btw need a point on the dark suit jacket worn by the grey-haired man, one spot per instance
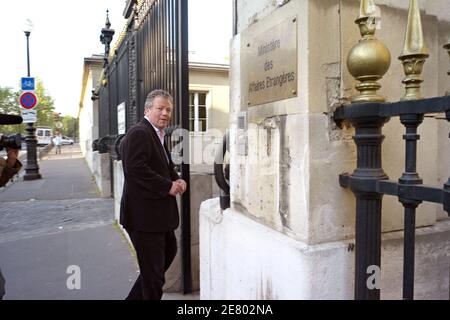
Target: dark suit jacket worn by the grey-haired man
(146, 204)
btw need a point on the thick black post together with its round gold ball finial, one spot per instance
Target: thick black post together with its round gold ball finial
(367, 62)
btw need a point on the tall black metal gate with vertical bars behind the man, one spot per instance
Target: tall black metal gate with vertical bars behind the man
(152, 54)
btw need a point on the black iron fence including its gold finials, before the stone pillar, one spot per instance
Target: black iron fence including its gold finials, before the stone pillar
(367, 62)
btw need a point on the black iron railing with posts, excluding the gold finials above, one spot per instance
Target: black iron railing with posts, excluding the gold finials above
(369, 183)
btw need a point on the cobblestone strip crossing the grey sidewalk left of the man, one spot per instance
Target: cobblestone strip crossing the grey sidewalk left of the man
(27, 219)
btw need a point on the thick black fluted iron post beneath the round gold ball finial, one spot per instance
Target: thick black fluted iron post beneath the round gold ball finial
(368, 139)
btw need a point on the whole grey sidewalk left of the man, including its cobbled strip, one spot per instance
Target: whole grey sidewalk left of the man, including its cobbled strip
(59, 221)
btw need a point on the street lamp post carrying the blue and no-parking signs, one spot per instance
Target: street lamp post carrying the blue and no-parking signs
(32, 167)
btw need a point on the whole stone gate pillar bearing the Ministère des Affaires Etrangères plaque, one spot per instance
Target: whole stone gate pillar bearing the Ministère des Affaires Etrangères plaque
(290, 230)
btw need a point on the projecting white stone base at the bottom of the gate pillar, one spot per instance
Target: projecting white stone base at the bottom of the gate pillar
(242, 259)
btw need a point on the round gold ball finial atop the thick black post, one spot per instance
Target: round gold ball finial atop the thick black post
(369, 60)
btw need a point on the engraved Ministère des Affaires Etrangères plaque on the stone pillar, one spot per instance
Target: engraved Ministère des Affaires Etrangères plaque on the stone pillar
(269, 63)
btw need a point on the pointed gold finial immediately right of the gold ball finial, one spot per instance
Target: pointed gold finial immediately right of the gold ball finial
(414, 53)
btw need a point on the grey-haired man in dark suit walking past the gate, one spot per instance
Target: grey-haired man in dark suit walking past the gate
(148, 209)
